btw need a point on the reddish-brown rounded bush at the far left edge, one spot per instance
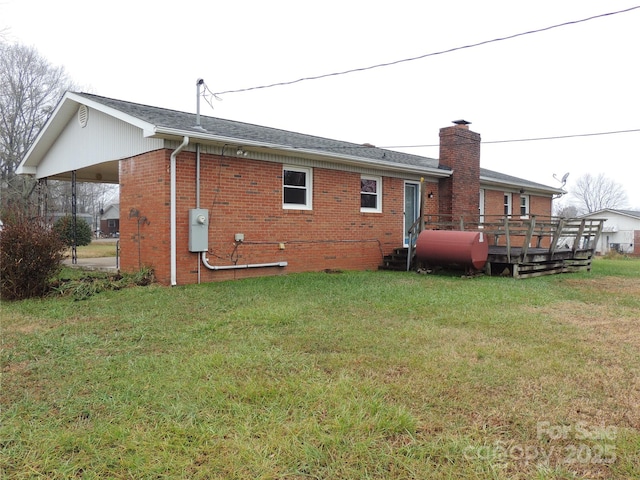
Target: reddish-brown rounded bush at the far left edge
(31, 254)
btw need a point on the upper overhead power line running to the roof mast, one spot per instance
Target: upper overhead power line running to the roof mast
(420, 57)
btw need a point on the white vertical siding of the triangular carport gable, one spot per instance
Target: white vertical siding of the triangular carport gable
(103, 139)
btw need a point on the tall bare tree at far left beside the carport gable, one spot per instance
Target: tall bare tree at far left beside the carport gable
(30, 87)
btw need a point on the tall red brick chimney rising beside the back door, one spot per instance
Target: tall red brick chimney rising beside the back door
(460, 152)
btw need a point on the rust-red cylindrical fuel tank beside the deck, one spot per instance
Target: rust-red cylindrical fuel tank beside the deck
(449, 247)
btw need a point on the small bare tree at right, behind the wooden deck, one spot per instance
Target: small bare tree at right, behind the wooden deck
(597, 193)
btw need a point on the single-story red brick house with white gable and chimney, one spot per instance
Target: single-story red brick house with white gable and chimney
(209, 199)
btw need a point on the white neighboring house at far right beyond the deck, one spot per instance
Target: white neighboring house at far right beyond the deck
(621, 231)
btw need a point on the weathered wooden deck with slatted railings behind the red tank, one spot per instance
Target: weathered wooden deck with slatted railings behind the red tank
(530, 247)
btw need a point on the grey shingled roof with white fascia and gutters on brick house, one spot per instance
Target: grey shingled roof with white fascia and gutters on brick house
(163, 123)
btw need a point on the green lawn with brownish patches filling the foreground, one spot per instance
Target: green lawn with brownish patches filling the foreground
(324, 376)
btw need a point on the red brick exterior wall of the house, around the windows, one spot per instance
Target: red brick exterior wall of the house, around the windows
(245, 196)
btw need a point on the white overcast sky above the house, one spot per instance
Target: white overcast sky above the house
(582, 78)
